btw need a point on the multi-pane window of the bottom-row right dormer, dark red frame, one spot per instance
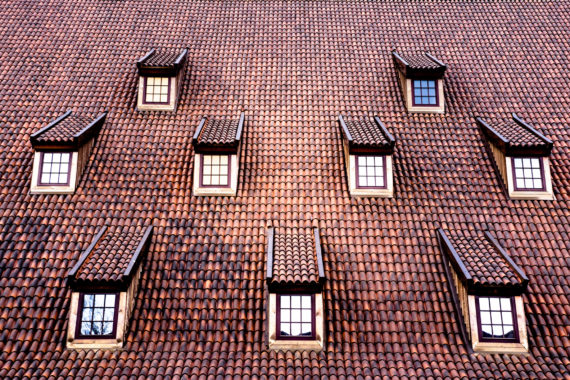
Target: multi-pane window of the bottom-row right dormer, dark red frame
(497, 319)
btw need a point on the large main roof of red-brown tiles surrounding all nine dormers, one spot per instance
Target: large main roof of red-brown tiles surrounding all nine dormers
(293, 66)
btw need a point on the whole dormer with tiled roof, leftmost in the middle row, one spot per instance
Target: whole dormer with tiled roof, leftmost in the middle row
(62, 150)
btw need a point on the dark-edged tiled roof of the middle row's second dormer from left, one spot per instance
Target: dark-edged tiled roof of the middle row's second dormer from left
(218, 135)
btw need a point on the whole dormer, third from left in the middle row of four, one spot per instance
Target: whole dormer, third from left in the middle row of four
(368, 149)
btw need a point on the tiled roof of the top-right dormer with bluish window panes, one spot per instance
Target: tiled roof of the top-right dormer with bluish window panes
(419, 65)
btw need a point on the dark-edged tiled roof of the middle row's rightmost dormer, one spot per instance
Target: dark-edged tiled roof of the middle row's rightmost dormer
(515, 137)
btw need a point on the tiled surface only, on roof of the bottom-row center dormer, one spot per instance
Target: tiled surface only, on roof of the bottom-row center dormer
(294, 256)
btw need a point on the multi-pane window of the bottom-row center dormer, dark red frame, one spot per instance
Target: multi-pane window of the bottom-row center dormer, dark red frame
(295, 317)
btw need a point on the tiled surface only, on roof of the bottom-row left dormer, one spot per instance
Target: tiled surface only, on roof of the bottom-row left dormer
(111, 256)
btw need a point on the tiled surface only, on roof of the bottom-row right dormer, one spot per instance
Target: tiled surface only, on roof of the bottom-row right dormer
(483, 261)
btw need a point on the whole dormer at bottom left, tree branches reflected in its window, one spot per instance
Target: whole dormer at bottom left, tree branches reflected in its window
(104, 282)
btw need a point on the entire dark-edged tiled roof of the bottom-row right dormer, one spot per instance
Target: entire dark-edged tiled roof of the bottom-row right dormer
(482, 263)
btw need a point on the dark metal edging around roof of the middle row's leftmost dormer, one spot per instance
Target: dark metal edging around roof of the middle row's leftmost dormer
(74, 142)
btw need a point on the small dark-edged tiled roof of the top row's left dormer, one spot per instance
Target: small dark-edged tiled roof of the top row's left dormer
(164, 62)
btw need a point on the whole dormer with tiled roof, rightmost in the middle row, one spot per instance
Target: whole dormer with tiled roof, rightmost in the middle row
(521, 155)
